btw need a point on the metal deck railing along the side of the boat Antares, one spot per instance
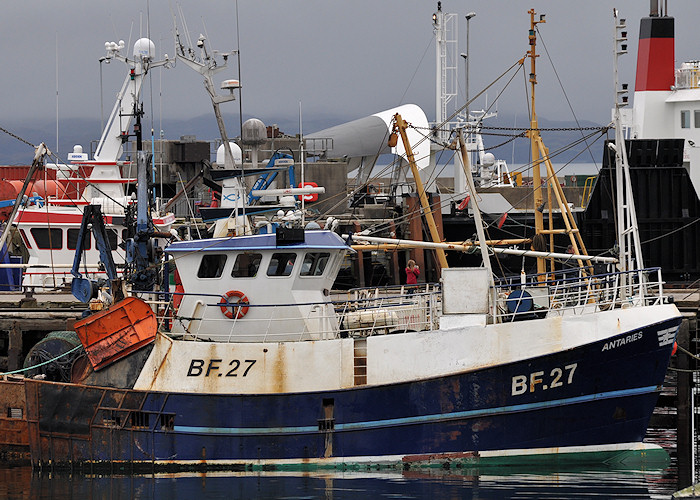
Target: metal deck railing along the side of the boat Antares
(386, 310)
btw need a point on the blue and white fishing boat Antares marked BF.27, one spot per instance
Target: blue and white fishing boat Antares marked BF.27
(259, 365)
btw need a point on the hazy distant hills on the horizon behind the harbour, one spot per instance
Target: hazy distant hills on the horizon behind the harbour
(84, 131)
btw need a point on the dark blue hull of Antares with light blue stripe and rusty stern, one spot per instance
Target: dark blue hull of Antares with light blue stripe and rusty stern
(599, 394)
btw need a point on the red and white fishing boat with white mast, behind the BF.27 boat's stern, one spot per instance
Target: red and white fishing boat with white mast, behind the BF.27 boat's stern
(49, 225)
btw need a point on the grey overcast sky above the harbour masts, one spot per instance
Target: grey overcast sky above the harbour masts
(338, 58)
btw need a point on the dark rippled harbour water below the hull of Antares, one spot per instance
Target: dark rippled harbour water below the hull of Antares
(21, 483)
